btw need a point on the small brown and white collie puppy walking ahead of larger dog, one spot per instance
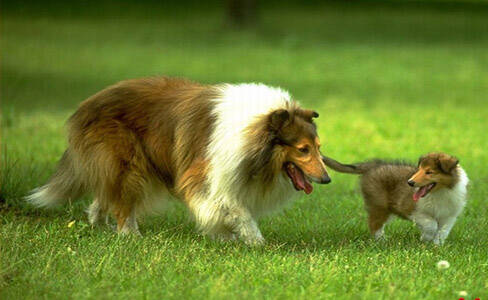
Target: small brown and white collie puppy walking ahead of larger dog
(432, 194)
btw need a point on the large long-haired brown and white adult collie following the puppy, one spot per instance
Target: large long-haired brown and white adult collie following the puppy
(231, 153)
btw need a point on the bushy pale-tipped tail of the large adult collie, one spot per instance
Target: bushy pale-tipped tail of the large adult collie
(64, 184)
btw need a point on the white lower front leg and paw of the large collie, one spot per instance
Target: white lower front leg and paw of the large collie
(240, 221)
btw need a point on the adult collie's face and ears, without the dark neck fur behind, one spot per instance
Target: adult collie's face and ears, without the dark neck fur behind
(296, 135)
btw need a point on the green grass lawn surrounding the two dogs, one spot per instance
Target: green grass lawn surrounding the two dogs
(388, 82)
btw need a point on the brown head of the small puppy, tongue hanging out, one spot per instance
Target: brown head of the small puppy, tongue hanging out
(435, 171)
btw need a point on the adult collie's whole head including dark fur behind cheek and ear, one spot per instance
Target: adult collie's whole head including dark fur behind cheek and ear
(286, 141)
